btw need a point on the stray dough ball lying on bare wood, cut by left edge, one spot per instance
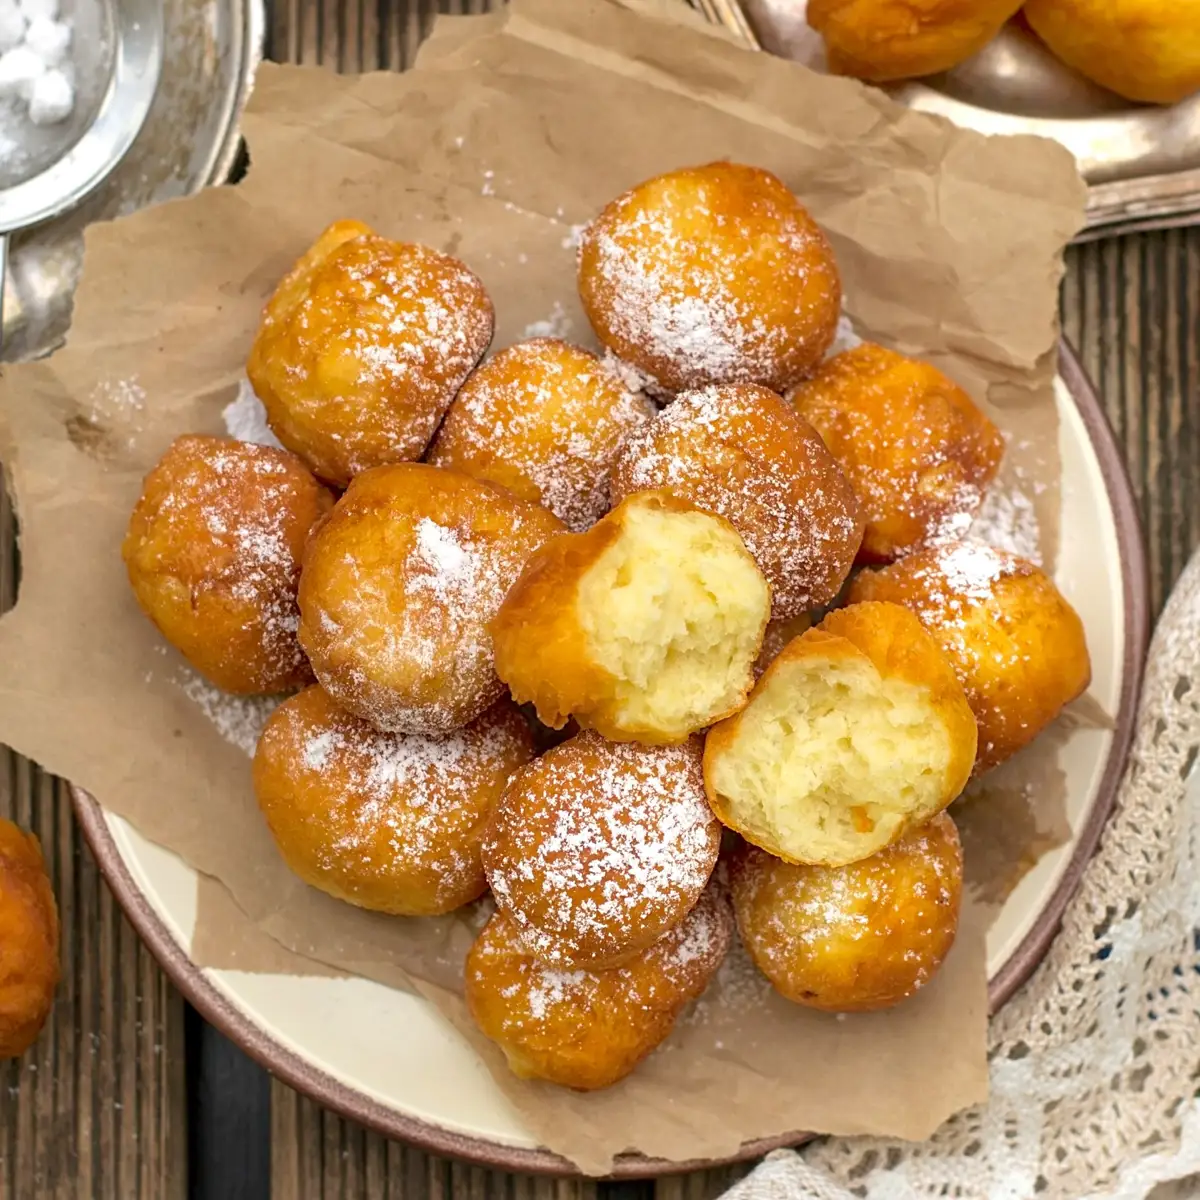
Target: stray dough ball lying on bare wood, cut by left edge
(29, 941)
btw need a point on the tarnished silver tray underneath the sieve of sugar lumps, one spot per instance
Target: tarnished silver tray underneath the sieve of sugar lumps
(190, 140)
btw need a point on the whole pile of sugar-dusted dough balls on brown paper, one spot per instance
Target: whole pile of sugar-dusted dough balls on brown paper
(443, 541)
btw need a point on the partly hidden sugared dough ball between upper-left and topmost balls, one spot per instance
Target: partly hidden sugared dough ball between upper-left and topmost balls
(545, 421)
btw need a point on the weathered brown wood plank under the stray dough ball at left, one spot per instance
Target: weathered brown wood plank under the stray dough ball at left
(95, 1111)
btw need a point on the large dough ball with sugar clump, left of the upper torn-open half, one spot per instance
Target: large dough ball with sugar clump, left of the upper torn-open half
(399, 586)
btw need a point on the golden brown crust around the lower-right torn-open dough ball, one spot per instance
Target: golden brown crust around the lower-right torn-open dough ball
(901, 650)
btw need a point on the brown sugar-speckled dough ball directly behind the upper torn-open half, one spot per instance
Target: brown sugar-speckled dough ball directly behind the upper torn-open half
(739, 451)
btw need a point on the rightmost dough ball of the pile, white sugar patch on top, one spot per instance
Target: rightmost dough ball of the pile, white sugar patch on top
(1016, 644)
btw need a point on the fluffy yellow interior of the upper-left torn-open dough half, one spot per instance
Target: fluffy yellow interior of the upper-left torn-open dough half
(675, 611)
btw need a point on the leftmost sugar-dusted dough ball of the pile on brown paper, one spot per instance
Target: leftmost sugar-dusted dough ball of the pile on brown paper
(213, 554)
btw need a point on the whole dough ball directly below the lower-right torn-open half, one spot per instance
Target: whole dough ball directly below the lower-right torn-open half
(859, 938)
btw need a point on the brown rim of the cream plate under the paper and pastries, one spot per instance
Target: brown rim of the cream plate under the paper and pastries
(295, 1071)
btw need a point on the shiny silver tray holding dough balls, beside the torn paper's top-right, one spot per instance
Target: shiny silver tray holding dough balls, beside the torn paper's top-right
(1142, 163)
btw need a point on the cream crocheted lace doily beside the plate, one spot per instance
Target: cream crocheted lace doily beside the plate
(1096, 1063)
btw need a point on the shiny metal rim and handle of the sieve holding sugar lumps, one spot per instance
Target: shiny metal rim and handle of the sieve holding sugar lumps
(118, 65)
